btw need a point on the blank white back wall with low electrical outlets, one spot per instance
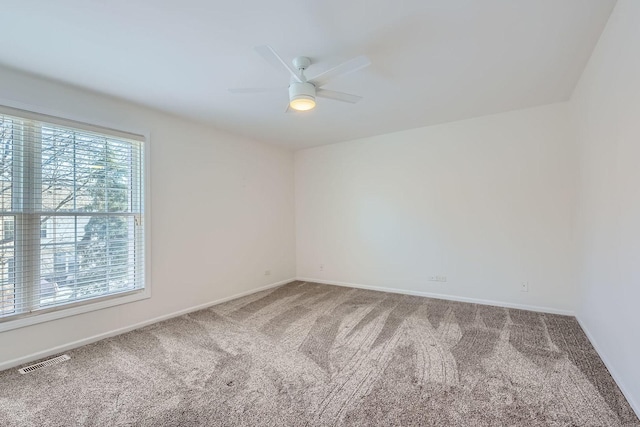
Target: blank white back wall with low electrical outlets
(488, 202)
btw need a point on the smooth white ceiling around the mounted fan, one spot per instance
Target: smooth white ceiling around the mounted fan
(433, 61)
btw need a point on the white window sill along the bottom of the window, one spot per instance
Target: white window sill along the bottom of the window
(75, 309)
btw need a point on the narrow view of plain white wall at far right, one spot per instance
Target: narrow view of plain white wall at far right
(606, 113)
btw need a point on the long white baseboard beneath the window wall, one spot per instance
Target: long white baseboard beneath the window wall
(79, 343)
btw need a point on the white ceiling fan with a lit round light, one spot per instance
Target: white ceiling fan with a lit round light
(302, 91)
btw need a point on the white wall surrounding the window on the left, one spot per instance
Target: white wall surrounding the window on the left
(222, 213)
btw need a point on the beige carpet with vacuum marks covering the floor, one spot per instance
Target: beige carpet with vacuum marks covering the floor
(316, 355)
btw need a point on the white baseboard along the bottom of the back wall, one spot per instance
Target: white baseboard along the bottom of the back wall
(442, 296)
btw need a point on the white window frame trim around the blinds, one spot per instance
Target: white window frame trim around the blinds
(118, 130)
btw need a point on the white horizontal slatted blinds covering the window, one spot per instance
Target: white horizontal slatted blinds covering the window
(71, 209)
